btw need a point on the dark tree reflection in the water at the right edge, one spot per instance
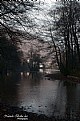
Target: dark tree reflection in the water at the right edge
(73, 100)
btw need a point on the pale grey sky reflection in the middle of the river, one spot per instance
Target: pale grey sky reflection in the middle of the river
(37, 94)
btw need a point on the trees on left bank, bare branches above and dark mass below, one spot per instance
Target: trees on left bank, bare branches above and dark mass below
(13, 15)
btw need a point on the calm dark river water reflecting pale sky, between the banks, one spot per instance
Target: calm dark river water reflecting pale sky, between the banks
(42, 95)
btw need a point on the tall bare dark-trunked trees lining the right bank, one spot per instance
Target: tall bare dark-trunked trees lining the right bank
(65, 35)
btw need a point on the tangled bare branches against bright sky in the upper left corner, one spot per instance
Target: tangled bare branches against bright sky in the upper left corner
(14, 13)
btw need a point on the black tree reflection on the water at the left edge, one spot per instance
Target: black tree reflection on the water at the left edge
(8, 90)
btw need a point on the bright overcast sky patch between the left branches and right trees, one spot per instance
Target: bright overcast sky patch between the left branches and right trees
(40, 17)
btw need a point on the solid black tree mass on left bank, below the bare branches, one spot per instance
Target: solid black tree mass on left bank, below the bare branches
(10, 57)
